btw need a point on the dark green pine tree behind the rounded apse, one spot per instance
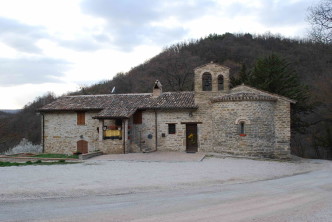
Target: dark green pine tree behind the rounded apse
(276, 75)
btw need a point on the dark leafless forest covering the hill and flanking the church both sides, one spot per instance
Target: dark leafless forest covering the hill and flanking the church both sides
(311, 61)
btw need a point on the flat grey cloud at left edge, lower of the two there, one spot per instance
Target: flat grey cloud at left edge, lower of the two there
(30, 70)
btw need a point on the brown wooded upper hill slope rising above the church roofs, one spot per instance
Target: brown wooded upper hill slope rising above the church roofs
(174, 66)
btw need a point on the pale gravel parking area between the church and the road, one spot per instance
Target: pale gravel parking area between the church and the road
(105, 177)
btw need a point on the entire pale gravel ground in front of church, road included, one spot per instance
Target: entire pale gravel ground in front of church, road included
(212, 190)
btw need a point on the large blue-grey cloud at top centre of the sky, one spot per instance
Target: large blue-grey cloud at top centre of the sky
(132, 23)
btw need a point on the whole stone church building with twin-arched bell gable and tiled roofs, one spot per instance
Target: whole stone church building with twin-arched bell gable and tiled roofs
(213, 118)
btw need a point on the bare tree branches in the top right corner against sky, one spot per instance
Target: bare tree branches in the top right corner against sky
(320, 18)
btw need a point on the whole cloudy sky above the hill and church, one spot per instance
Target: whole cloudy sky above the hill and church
(59, 45)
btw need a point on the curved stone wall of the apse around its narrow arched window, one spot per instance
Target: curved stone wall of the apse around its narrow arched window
(259, 127)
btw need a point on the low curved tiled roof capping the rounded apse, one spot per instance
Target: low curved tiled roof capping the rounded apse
(243, 96)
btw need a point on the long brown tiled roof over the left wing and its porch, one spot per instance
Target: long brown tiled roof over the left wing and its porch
(122, 105)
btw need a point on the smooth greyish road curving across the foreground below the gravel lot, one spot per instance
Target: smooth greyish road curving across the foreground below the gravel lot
(304, 197)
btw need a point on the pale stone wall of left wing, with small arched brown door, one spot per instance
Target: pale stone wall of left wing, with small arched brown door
(62, 133)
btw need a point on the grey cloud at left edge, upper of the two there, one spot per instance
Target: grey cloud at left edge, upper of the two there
(20, 36)
